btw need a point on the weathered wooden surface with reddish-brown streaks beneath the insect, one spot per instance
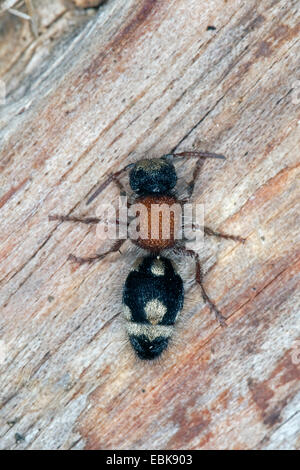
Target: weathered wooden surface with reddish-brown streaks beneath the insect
(143, 77)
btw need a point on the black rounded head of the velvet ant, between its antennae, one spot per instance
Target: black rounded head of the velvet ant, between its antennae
(153, 176)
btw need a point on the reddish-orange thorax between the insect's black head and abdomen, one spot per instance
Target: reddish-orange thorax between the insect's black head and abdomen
(157, 222)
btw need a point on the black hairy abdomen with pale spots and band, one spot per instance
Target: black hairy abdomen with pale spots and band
(152, 298)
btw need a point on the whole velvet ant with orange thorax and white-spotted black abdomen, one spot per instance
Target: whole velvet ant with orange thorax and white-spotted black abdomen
(153, 293)
